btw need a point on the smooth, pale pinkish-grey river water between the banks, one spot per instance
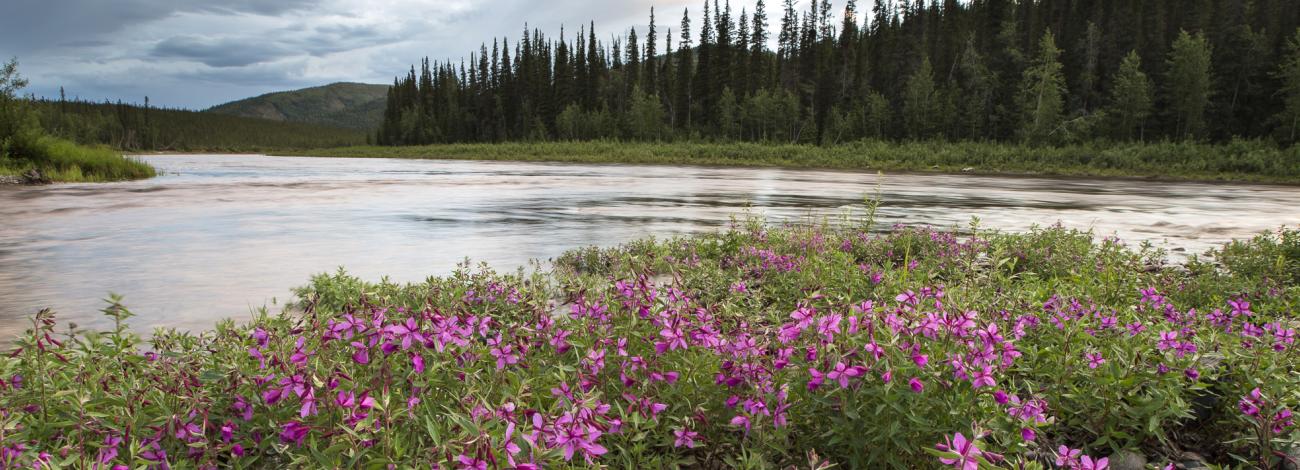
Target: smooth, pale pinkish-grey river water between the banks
(219, 236)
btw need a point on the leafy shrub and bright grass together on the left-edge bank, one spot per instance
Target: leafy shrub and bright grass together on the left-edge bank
(29, 155)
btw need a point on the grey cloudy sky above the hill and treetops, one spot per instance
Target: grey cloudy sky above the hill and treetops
(196, 54)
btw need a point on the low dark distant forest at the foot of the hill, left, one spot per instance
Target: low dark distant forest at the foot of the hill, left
(146, 128)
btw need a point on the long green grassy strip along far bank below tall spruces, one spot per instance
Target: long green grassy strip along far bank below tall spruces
(1240, 160)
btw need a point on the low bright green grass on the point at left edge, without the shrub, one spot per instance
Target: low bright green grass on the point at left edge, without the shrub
(64, 162)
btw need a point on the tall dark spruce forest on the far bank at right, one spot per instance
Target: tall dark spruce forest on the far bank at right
(1045, 72)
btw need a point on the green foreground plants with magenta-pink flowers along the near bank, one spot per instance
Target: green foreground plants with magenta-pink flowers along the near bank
(756, 347)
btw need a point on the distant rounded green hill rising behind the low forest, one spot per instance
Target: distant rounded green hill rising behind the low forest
(352, 106)
